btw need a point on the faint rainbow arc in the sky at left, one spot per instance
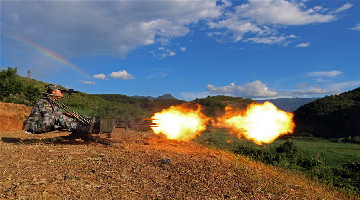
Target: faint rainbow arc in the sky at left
(49, 54)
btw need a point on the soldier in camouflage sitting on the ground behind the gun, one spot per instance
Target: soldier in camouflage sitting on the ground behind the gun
(46, 116)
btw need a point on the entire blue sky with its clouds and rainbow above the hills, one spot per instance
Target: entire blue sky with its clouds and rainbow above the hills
(190, 49)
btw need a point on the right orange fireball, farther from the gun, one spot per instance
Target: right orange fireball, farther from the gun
(262, 123)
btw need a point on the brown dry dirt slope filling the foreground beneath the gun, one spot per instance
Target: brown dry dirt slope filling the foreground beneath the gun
(140, 165)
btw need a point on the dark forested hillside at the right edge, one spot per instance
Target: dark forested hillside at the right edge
(332, 116)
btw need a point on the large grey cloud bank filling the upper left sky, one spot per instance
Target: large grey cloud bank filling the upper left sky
(101, 27)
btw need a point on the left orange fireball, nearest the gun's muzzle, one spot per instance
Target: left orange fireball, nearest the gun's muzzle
(179, 122)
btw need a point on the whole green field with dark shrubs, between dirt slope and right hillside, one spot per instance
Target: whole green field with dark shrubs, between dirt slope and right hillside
(326, 160)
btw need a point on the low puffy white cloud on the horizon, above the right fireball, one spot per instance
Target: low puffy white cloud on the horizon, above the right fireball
(255, 89)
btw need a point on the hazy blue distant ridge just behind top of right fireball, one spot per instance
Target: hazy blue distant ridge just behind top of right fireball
(289, 104)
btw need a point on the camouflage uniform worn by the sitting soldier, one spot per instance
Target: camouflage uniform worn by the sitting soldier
(46, 116)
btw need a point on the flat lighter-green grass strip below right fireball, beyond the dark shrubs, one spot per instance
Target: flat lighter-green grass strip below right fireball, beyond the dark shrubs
(332, 153)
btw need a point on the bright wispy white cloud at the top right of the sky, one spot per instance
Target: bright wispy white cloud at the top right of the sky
(259, 21)
